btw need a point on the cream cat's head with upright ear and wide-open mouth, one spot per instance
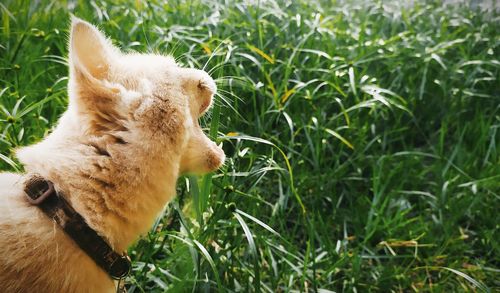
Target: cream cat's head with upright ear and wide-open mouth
(147, 94)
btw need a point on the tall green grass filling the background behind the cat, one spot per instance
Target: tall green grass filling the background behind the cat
(362, 139)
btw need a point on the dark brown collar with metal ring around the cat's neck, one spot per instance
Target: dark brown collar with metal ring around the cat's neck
(41, 192)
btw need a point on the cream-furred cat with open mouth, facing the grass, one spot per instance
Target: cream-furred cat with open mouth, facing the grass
(131, 128)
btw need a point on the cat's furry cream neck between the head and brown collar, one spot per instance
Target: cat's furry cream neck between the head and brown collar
(118, 187)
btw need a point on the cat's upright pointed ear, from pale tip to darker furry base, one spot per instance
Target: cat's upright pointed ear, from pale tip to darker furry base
(91, 91)
